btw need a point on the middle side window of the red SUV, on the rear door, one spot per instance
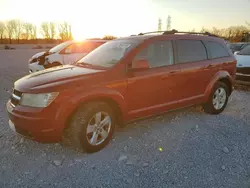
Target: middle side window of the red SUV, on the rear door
(190, 51)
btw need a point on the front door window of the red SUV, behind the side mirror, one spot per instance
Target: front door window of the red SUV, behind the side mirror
(158, 54)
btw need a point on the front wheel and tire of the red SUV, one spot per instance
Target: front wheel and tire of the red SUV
(76, 134)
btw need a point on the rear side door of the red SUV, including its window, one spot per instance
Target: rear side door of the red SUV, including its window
(193, 60)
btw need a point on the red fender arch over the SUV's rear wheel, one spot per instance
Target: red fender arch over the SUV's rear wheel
(218, 76)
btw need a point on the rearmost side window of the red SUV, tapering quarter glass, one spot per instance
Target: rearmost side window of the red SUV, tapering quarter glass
(216, 50)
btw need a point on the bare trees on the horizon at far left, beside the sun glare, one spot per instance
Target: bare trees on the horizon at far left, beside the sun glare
(17, 30)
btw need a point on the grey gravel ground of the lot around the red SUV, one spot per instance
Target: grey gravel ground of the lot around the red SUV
(186, 148)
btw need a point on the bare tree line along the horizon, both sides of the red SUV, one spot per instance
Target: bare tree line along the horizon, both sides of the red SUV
(17, 31)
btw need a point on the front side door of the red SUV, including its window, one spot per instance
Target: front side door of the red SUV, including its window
(150, 90)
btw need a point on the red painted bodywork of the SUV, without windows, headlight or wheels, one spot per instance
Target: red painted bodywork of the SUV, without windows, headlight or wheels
(136, 93)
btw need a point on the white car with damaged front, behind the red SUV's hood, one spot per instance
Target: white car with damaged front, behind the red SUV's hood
(65, 53)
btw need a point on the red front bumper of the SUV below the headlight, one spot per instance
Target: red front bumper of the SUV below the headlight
(34, 124)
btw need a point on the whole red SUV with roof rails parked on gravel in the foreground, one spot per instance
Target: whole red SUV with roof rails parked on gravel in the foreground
(120, 81)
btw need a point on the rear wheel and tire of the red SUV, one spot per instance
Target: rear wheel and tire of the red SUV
(213, 107)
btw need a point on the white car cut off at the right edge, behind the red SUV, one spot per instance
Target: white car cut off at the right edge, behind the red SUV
(243, 66)
